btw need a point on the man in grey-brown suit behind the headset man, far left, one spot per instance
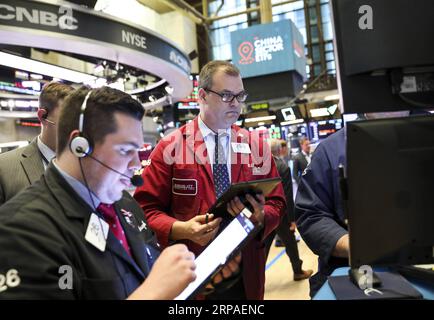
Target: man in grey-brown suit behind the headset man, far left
(22, 167)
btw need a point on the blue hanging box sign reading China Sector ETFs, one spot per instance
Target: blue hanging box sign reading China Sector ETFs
(268, 48)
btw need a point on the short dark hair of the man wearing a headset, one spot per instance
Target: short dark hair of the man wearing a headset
(99, 121)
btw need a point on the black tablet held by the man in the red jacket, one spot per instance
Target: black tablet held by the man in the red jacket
(264, 186)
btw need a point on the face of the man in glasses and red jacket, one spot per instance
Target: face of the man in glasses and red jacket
(216, 113)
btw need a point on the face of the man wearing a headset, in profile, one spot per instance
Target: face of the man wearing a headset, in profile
(119, 151)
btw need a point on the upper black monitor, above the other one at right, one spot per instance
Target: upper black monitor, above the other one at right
(384, 54)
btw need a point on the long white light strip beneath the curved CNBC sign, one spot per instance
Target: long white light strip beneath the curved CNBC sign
(50, 70)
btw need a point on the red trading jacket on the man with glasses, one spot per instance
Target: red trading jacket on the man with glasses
(178, 185)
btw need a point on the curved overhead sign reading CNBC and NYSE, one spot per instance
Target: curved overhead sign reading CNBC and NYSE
(63, 26)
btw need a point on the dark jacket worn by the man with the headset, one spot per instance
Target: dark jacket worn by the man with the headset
(43, 228)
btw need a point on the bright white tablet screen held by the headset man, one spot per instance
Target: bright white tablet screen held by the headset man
(219, 250)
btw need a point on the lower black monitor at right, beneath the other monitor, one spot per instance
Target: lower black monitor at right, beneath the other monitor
(390, 181)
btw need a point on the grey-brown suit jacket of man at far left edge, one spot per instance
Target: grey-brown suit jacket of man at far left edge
(19, 169)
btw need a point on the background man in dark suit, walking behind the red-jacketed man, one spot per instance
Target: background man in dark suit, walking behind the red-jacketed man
(286, 228)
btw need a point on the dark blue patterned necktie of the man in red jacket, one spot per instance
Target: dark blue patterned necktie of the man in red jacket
(220, 168)
